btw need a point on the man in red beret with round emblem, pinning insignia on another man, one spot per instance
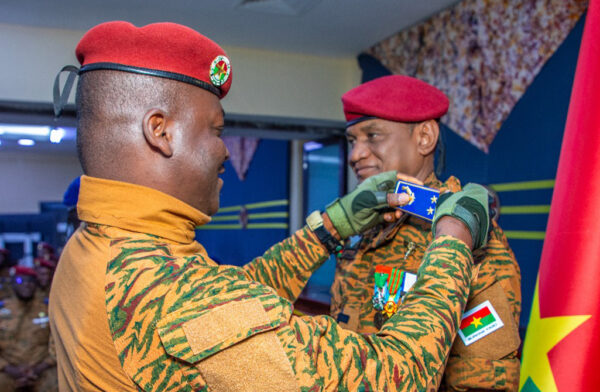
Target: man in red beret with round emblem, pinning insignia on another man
(137, 304)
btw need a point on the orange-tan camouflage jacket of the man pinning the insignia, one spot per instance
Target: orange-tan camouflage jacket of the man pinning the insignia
(137, 304)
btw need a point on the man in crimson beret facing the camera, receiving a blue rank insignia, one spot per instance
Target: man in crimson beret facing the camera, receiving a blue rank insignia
(393, 125)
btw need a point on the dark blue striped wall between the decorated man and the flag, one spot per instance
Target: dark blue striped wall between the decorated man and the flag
(523, 158)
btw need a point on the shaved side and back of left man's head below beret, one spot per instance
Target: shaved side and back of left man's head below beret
(110, 108)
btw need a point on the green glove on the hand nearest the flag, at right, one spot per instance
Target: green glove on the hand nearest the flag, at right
(470, 206)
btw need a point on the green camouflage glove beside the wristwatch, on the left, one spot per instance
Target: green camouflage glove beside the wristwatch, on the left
(360, 209)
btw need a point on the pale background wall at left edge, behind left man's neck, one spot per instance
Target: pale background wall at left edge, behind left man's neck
(27, 178)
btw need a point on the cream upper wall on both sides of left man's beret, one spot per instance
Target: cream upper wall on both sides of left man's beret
(265, 83)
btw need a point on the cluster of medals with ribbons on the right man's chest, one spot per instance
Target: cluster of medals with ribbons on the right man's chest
(391, 284)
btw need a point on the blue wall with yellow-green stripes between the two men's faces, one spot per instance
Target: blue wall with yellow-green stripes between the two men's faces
(264, 193)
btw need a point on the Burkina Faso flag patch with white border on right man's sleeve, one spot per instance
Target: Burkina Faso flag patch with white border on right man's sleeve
(479, 322)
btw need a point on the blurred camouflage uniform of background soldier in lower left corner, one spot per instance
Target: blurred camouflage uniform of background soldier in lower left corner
(24, 338)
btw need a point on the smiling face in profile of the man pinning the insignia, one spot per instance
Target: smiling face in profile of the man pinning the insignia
(199, 152)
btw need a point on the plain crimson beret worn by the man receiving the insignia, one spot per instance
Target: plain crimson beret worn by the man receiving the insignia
(396, 98)
